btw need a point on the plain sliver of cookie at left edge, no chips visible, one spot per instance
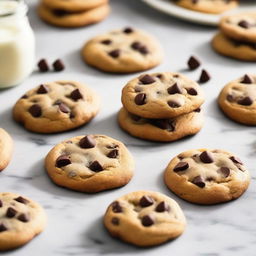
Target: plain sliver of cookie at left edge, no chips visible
(6, 149)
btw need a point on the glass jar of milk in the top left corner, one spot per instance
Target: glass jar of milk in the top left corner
(17, 43)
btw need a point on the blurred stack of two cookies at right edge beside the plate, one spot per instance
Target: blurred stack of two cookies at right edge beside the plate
(237, 38)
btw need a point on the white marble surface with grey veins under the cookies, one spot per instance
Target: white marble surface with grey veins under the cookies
(75, 219)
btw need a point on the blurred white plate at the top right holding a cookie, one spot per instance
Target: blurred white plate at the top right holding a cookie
(170, 8)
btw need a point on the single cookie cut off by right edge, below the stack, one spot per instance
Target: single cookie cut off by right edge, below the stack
(238, 100)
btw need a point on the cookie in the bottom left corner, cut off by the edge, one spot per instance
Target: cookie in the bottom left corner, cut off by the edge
(21, 219)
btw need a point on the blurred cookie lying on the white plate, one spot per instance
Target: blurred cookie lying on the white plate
(208, 6)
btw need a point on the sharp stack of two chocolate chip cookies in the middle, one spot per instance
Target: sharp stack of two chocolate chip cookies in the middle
(161, 107)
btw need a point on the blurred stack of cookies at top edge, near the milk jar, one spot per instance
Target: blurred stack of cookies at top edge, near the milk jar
(73, 13)
